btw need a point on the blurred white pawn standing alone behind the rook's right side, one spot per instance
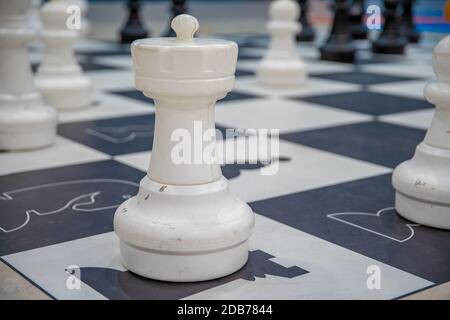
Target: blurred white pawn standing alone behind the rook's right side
(282, 65)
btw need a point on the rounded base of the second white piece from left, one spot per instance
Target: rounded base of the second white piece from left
(64, 92)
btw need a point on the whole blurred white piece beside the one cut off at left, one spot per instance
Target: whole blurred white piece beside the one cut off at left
(60, 77)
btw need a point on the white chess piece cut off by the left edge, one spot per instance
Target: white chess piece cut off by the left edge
(25, 122)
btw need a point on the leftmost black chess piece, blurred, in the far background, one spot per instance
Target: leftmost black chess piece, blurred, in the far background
(133, 28)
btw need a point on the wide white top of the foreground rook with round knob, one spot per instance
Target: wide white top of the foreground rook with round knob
(164, 65)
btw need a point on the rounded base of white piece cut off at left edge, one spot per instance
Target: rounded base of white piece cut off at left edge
(25, 123)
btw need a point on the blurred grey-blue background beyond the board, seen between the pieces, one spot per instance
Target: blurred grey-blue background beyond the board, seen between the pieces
(240, 16)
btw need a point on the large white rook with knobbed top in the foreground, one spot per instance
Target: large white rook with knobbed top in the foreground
(184, 224)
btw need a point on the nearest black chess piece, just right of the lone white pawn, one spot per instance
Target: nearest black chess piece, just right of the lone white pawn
(339, 46)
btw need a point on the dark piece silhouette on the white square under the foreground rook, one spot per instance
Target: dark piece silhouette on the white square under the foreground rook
(115, 284)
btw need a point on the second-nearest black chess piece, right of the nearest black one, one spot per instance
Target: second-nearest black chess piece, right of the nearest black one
(390, 40)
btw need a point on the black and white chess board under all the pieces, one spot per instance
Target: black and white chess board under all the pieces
(325, 223)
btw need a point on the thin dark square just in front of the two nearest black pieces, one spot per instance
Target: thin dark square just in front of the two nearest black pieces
(363, 78)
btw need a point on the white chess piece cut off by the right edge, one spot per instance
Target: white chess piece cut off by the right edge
(422, 184)
